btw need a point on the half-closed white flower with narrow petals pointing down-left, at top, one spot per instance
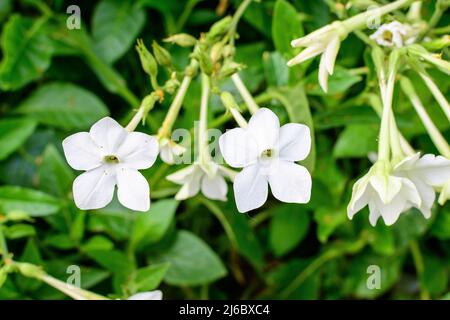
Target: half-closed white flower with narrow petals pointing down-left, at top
(325, 41)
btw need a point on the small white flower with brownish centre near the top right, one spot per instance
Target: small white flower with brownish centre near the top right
(391, 34)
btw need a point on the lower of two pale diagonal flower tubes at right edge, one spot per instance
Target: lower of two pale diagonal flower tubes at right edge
(433, 132)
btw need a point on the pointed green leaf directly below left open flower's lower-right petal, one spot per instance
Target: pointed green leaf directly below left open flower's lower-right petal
(150, 227)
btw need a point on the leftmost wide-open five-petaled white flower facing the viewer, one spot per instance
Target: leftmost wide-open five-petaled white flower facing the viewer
(111, 156)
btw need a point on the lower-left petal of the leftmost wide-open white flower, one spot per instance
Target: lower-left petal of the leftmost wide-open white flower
(94, 189)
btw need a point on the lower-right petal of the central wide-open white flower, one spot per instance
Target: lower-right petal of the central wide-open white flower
(291, 183)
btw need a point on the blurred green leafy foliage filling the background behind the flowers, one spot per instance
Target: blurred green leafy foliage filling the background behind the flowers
(55, 81)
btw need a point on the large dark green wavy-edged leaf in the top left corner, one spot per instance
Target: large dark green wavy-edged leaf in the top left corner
(27, 52)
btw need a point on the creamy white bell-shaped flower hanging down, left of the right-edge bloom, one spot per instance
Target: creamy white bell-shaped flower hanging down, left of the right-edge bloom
(385, 194)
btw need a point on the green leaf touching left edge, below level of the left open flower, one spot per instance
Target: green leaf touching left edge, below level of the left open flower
(34, 203)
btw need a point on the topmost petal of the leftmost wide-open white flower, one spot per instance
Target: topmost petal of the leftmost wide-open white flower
(108, 135)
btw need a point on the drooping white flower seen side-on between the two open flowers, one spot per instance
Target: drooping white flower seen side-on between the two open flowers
(209, 178)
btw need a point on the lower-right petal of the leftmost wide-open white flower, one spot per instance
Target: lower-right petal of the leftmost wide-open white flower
(133, 191)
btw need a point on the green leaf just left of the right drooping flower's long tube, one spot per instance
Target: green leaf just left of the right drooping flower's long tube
(357, 140)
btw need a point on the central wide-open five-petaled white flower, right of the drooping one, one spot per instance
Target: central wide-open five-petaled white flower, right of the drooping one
(268, 154)
